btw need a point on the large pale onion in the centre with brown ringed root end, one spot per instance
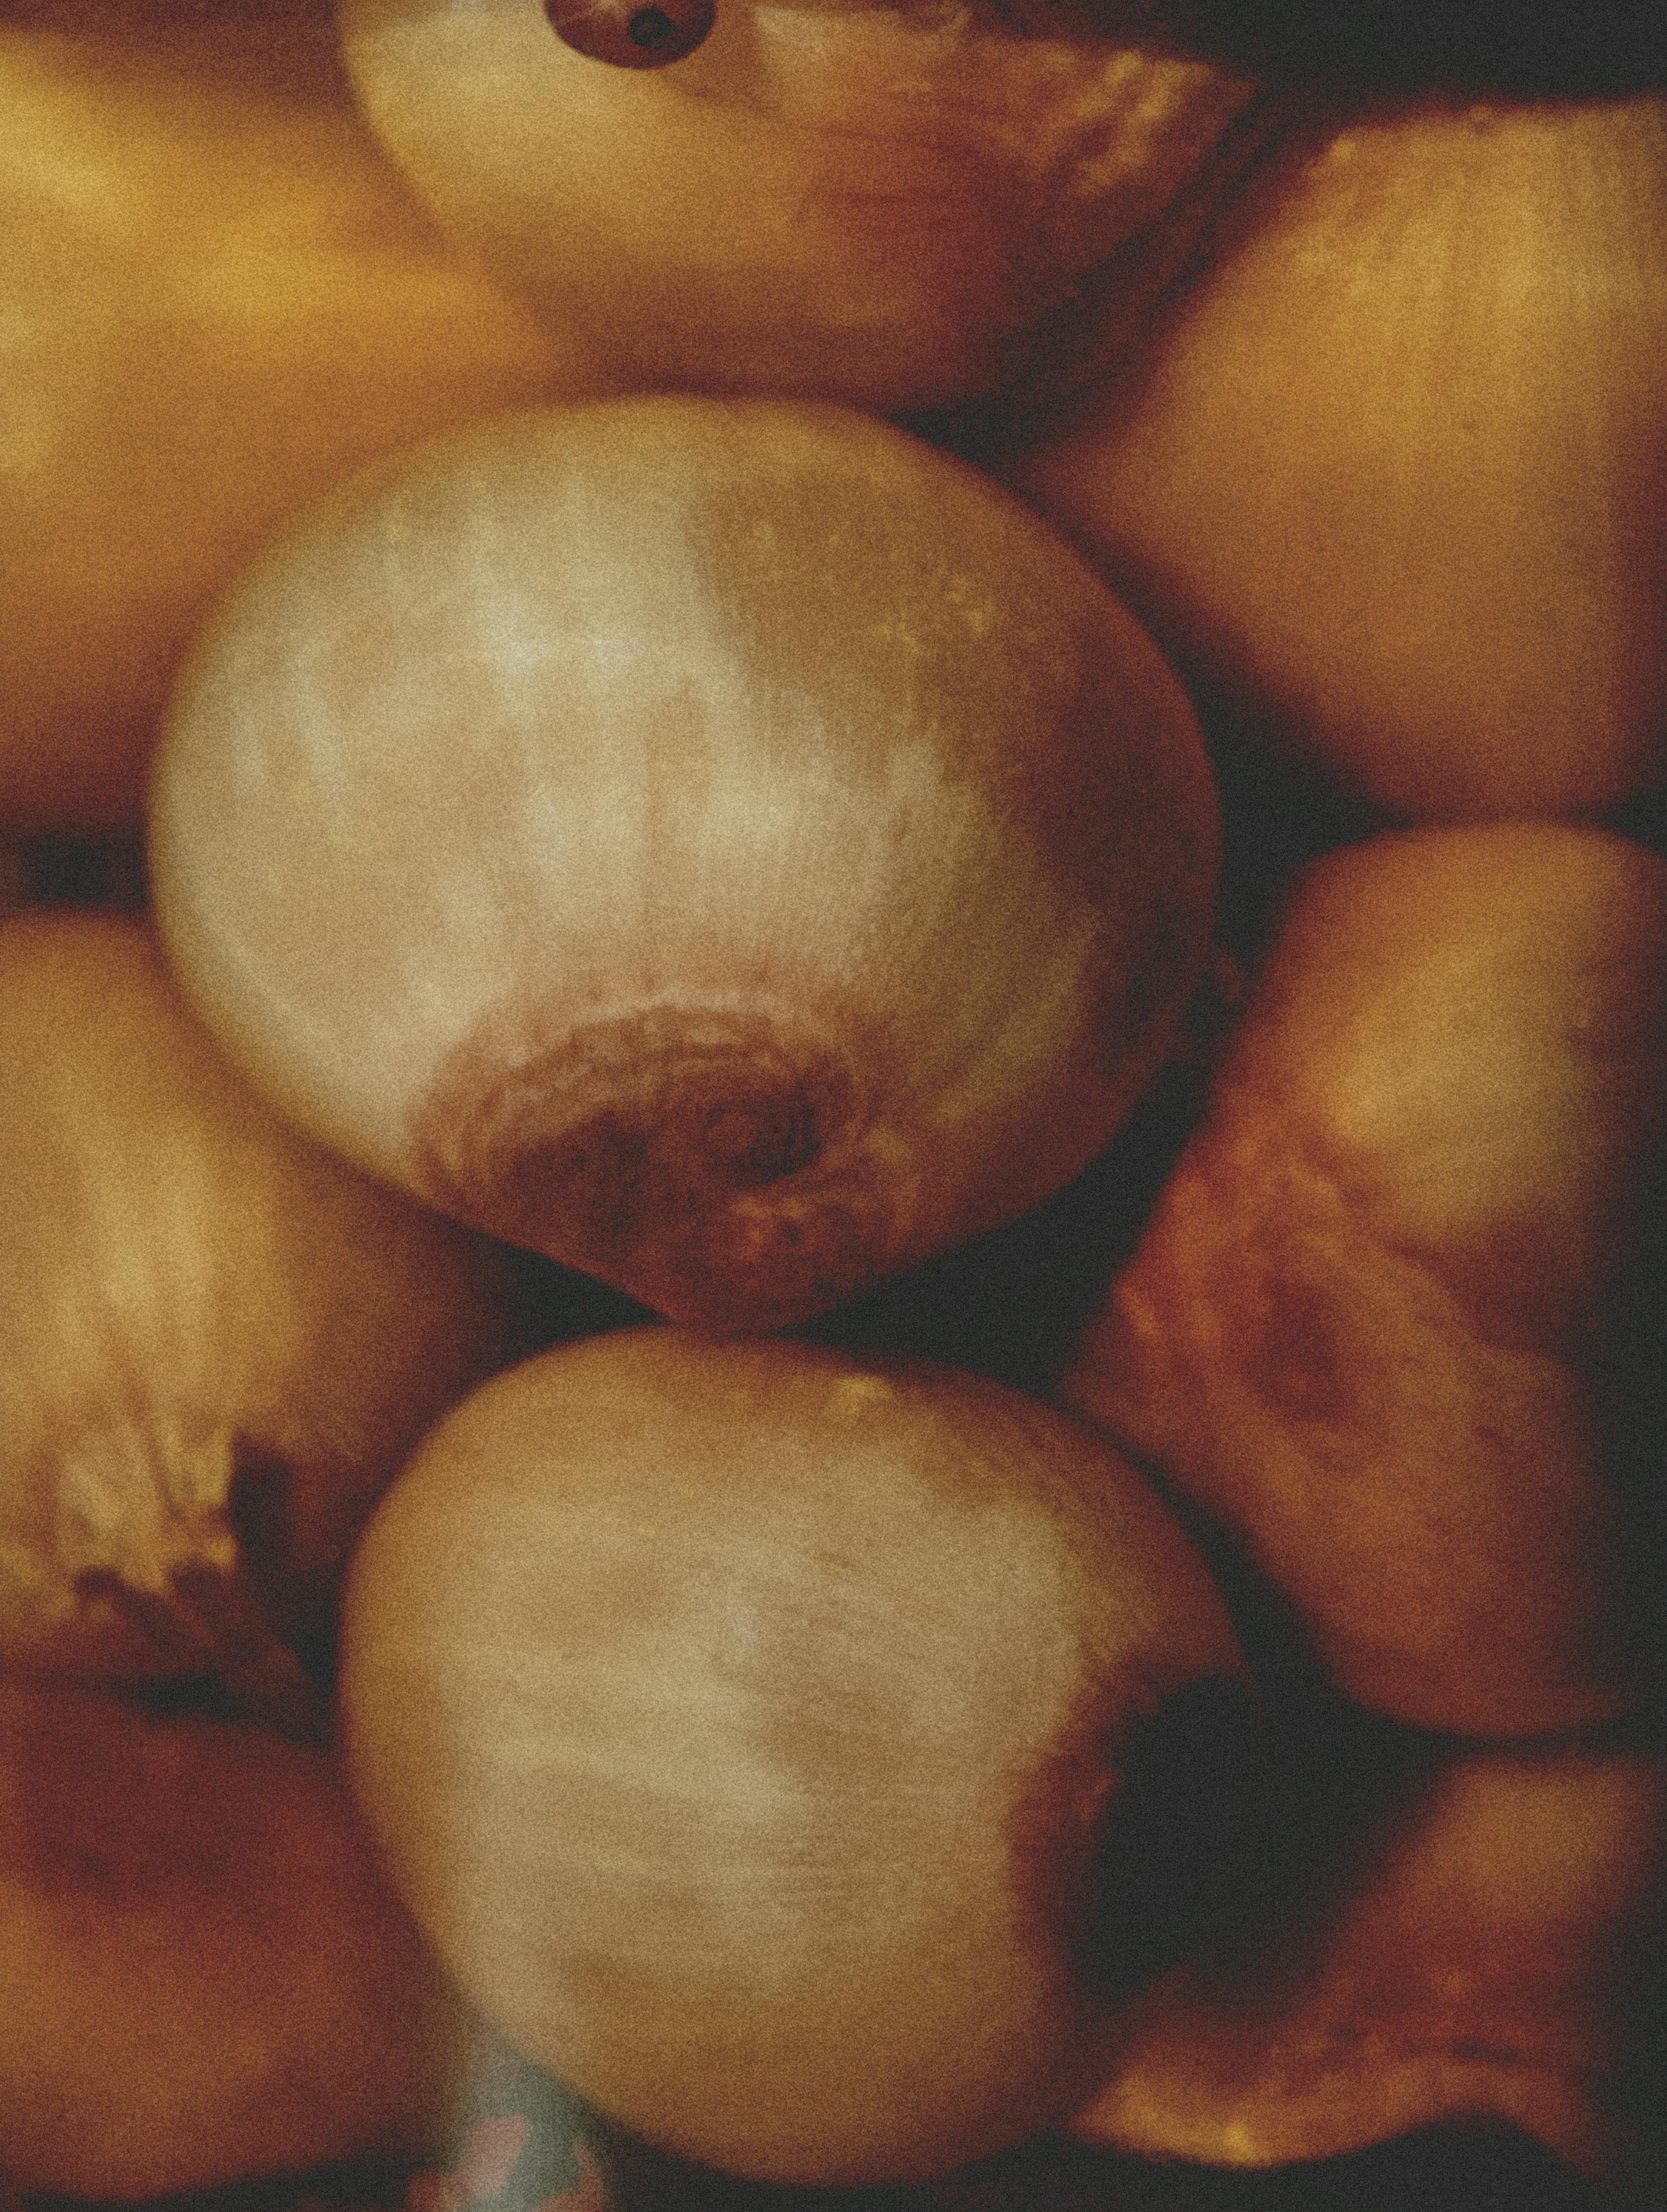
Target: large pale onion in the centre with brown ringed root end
(723, 846)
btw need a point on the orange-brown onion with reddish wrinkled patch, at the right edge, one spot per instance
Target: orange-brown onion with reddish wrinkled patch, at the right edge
(1360, 1324)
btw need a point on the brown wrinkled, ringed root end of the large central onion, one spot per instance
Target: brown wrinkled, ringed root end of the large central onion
(712, 1162)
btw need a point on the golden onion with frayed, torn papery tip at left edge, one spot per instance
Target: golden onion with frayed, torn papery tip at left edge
(216, 1342)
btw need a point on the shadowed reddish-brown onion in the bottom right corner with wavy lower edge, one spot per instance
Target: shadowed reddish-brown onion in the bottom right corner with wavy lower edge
(1478, 1963)
